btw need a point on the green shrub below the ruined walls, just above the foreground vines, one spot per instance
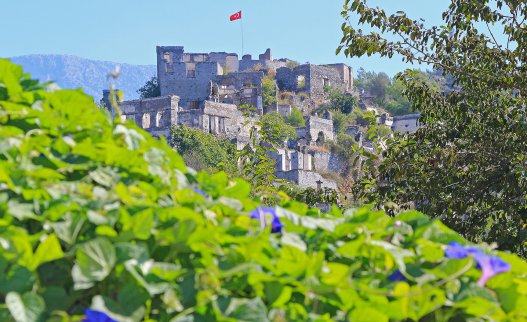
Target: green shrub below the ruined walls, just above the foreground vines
(204, 151)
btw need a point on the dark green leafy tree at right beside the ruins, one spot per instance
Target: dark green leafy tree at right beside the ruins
(467, 164)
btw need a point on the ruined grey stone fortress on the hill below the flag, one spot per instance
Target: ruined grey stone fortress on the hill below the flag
(205, 90)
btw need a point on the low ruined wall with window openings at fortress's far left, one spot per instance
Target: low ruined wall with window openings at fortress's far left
(155, 115)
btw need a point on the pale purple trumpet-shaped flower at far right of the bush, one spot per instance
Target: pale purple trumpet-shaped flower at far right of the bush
(489, 265)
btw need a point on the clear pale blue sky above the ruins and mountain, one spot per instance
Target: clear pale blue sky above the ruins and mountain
(127, 31)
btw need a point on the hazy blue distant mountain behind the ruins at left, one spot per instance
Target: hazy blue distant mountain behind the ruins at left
(74, 72)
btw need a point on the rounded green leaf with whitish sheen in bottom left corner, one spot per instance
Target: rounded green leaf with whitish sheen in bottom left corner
(26, 308)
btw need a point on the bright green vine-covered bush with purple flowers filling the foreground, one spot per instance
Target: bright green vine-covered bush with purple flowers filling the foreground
(96, 213)
